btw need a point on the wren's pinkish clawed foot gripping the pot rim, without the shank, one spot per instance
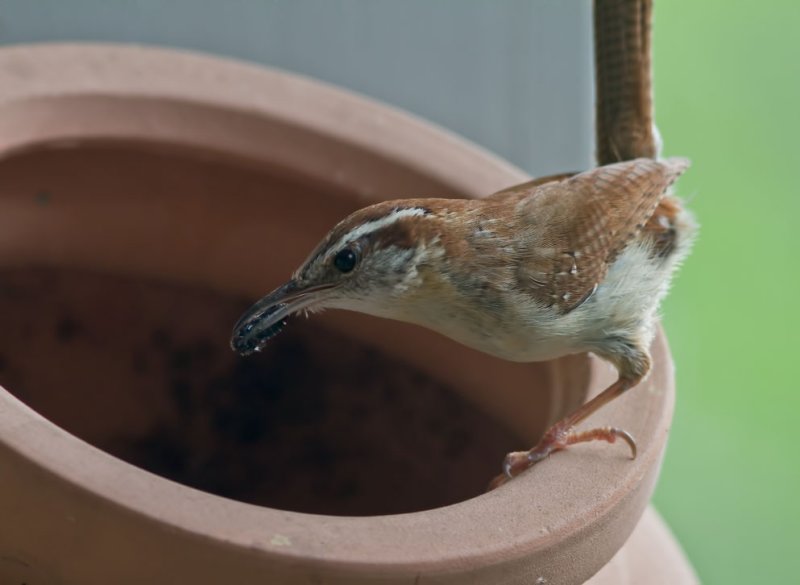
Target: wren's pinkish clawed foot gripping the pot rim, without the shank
(558, 437)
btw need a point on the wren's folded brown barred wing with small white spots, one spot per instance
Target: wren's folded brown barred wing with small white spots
(579, 225)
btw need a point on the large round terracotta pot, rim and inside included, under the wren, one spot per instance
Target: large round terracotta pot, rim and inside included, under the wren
(145, 195)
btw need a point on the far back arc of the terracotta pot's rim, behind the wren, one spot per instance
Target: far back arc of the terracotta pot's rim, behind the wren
(36, 76)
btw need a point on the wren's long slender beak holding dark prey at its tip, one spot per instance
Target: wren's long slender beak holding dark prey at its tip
(267, 317)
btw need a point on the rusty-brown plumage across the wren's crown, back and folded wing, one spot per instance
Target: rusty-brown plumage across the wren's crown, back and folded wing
(569, 228)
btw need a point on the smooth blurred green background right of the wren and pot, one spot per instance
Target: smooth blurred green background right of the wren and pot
(728, 92)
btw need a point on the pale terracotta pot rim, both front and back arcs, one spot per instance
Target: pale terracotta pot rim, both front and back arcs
(566, 501)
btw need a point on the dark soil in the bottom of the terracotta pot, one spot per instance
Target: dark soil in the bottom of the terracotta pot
(315, 423)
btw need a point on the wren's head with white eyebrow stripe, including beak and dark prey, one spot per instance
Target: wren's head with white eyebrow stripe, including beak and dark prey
(367, 263)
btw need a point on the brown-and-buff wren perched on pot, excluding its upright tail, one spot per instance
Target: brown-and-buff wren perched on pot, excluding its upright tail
(562, 264)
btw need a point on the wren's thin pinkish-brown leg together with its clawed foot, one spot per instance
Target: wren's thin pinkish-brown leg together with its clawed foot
(563, 434)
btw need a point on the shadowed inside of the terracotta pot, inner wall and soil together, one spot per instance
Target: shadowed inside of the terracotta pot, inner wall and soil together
(123, 267)
